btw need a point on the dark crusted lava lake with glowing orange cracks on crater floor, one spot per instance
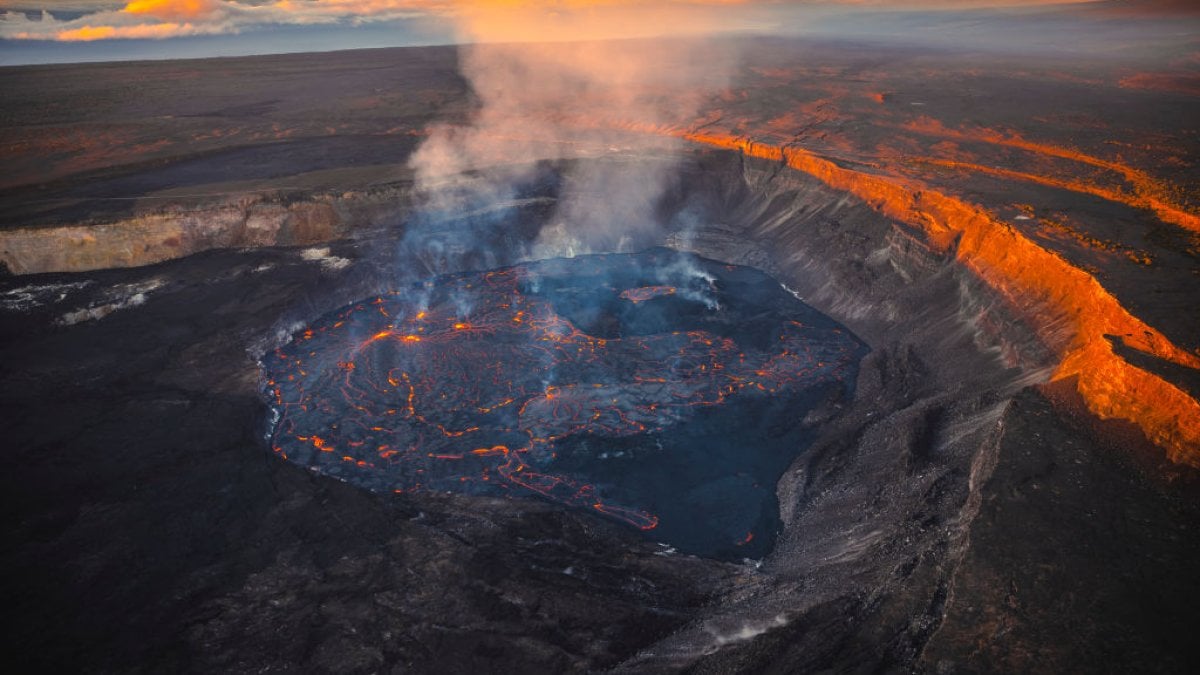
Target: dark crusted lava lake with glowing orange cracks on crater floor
(661, 390)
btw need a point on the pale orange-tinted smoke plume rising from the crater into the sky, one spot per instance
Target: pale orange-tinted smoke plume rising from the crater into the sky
(590, 85)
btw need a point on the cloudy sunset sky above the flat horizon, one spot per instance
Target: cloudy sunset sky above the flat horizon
(89, 31)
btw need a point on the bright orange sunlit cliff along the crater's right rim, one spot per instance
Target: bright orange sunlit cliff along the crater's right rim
(1034, 280)
